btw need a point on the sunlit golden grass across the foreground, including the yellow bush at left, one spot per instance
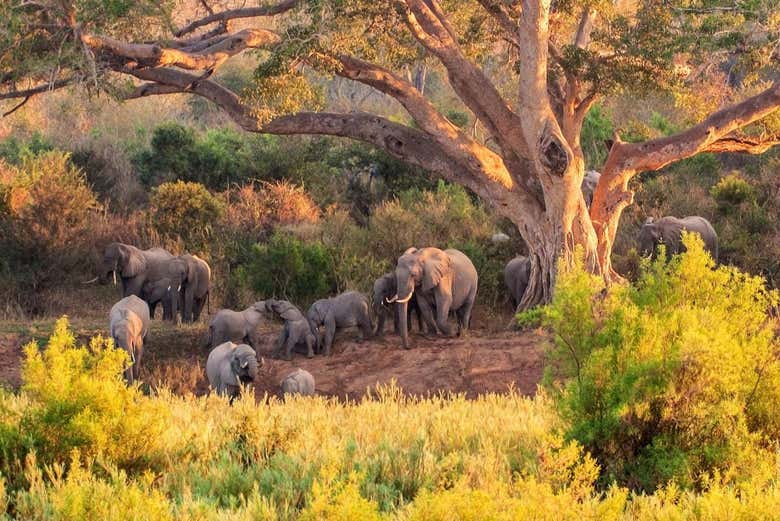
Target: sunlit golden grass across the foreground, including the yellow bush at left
(117, 454)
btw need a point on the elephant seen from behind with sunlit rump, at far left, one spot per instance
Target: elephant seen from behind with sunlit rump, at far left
(128, 325)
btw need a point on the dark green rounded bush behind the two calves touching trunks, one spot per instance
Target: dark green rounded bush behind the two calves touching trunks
(287, 267)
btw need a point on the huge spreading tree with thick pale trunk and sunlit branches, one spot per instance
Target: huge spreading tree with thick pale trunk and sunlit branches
(527, 71)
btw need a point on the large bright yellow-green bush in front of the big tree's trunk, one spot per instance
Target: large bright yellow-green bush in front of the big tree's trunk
(671, 380)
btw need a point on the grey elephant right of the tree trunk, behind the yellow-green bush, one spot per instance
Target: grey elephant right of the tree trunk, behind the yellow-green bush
(668, 231)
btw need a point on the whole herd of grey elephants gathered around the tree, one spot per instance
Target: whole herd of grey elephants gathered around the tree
(429, 282)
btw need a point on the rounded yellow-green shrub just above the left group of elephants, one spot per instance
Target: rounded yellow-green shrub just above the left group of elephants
(187, 211)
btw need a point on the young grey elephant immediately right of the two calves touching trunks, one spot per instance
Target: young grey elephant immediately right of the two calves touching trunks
(349, 309)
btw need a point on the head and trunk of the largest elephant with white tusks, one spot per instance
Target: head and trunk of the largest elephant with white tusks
(427, 268)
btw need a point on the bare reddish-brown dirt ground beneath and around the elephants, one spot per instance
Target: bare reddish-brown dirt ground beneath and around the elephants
(487, 360)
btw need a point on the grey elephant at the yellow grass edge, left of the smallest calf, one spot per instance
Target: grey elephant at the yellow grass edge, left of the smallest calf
(229, 366)
